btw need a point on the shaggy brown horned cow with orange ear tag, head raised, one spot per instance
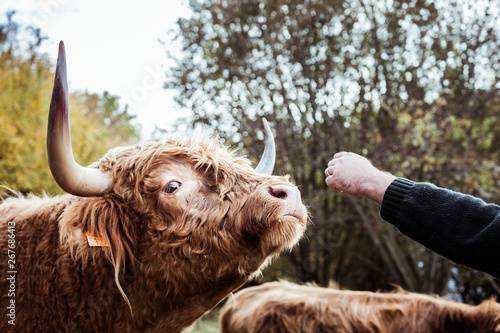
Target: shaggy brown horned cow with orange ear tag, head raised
(151, 237)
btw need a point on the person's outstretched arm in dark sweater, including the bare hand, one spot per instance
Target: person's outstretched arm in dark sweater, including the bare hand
(460, 227)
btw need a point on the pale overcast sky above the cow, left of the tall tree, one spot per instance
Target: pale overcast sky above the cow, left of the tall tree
(111, 45)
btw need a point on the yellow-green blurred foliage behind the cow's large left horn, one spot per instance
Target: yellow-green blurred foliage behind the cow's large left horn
(26, 79)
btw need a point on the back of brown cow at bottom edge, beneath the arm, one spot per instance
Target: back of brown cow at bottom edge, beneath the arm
(283, 307)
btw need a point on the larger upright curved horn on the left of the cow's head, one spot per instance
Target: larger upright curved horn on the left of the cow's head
(71, 177)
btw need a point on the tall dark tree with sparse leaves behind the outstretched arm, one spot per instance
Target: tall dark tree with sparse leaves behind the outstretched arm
(411, 84)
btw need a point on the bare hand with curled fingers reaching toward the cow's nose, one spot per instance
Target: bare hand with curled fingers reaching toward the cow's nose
(355, 175)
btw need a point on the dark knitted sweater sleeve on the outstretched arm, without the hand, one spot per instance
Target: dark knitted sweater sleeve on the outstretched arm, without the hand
(460, 227)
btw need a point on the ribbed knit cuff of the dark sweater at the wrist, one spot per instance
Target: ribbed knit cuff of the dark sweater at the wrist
(393, 198)
